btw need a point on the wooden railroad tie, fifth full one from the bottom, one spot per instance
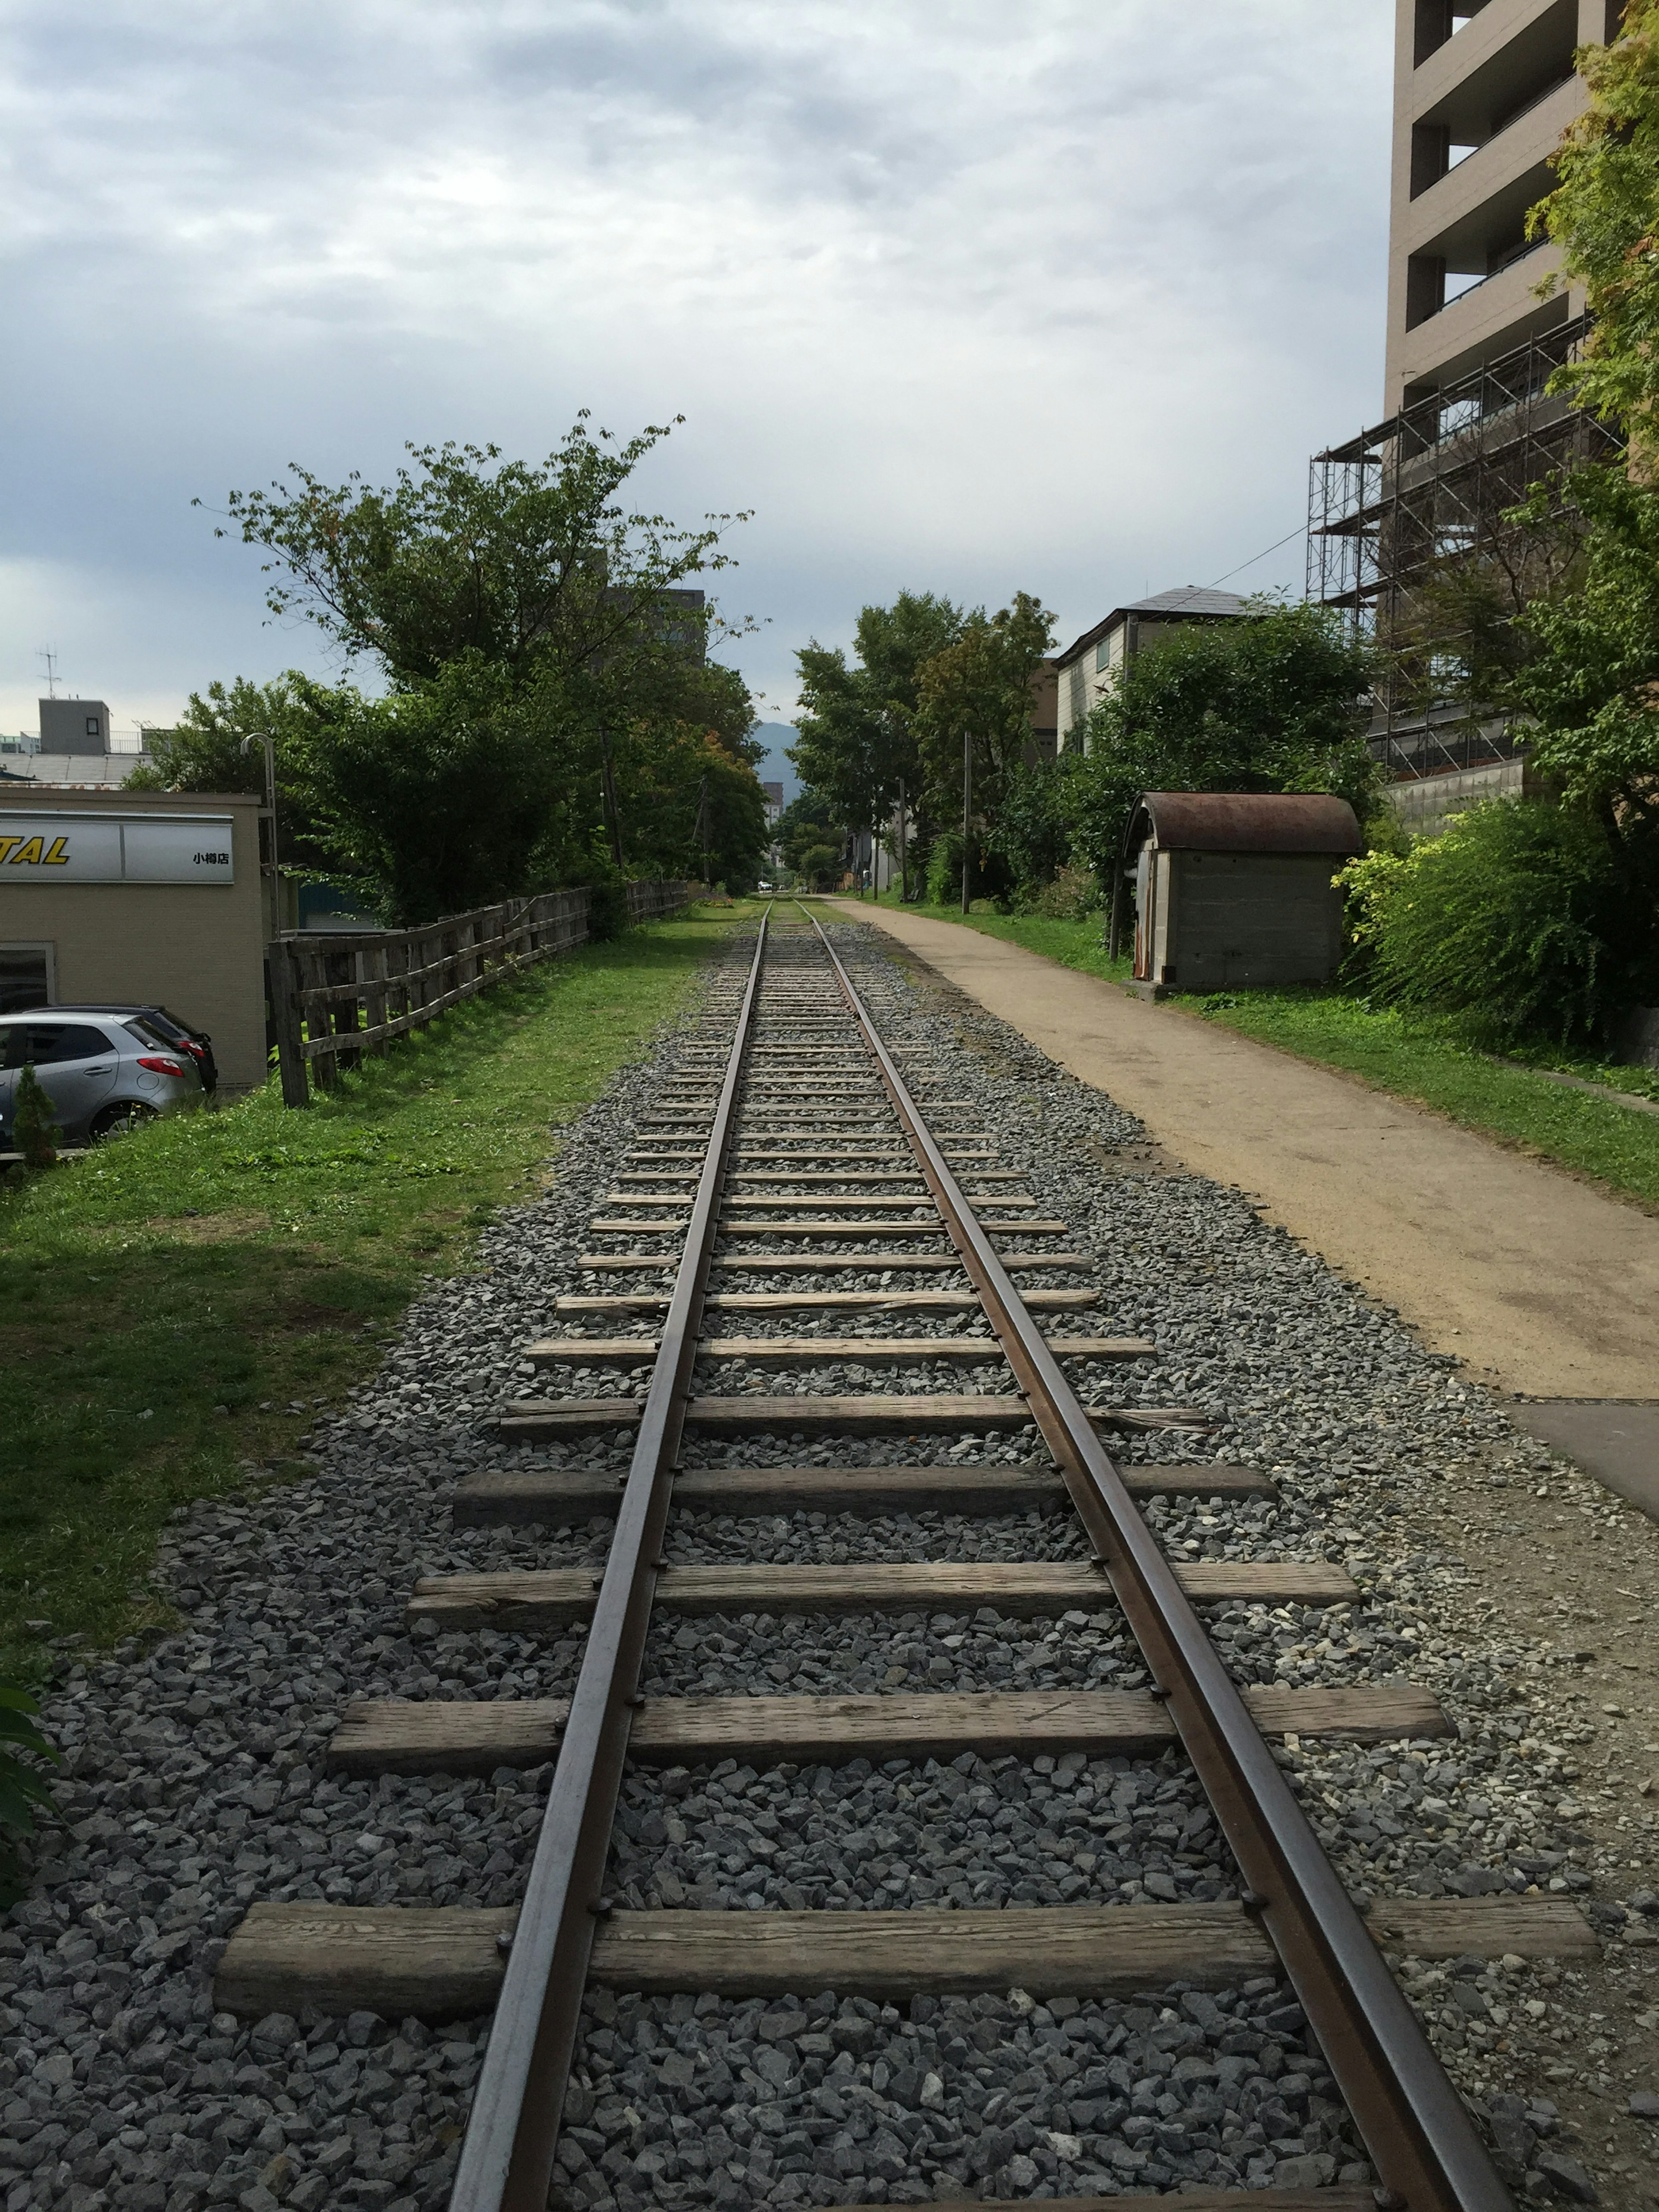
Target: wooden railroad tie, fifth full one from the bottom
(764, 1415)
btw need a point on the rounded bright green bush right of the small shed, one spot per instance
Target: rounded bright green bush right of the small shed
(1521, 917)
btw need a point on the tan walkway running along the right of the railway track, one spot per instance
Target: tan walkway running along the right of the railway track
(1538, 1282)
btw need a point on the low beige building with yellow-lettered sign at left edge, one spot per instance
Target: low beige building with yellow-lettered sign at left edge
(138, 899)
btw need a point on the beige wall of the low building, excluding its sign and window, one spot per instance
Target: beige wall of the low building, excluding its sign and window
(194, 948)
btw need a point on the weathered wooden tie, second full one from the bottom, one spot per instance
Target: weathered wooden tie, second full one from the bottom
(481, 1735)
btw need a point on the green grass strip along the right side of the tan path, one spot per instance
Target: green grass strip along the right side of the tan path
(1423, 1061)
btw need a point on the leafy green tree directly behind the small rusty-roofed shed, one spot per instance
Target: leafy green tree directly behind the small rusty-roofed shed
(1260, 705)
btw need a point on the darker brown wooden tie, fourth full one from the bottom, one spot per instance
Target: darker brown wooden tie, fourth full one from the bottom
(570, 1496)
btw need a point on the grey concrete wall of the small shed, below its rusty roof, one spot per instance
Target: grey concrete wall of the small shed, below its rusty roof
(1244, 919)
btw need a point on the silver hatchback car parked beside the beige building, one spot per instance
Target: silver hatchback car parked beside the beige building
(101, 1076)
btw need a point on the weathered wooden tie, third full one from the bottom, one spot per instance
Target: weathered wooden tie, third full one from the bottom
(523, 1603)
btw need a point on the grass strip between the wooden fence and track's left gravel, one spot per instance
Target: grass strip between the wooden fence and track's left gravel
(185, 1300)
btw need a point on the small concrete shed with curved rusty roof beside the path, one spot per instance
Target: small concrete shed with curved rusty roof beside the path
(1235, 888)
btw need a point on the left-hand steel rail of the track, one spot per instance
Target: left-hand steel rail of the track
(514, 2120)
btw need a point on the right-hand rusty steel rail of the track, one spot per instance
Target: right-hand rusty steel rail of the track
(1412, 2120)
